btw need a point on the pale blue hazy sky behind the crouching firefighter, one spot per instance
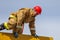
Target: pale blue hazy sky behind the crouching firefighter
(47, 24)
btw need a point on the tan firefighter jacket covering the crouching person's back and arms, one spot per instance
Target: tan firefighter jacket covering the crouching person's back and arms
(26, 15)
